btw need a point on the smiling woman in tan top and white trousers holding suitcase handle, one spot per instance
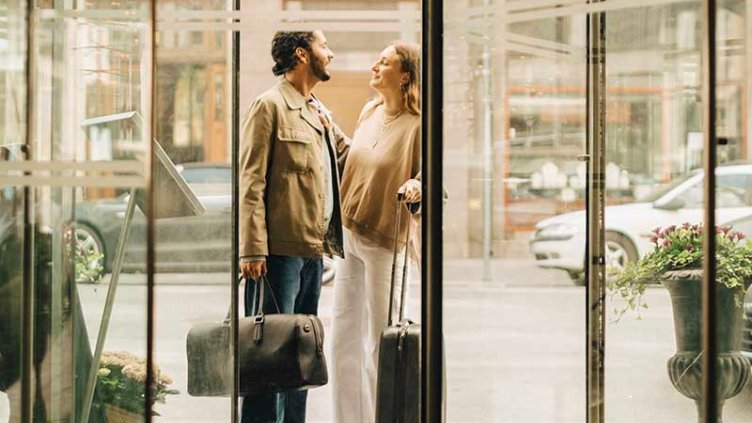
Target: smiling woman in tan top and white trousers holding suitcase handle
(384, 158)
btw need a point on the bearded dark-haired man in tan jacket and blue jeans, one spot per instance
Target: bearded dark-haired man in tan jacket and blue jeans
(289, 195)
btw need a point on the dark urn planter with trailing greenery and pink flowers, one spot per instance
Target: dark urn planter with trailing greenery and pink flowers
(676, 262)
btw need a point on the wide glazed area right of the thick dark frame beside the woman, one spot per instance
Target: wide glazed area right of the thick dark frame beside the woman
(575, 146)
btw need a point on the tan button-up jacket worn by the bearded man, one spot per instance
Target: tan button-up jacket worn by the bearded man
(282, 177)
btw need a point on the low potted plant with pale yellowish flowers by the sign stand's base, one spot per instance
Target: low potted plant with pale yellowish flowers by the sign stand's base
(120, 383)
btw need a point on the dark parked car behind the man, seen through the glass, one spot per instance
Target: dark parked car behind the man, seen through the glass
(183, 244)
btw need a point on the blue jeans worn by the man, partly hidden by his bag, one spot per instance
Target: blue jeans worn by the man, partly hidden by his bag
(296, 283)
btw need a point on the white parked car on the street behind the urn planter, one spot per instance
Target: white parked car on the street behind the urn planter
(559, 242)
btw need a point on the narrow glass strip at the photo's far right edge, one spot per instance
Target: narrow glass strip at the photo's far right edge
(733, 211)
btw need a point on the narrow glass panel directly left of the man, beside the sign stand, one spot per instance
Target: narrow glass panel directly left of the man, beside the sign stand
(194, 245)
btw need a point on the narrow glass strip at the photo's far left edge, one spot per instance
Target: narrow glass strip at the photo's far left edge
(12, 135)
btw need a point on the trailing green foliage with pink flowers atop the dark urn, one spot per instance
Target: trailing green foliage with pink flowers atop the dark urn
(678, 248)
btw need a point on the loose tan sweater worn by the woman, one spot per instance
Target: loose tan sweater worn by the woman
(382, 157)
